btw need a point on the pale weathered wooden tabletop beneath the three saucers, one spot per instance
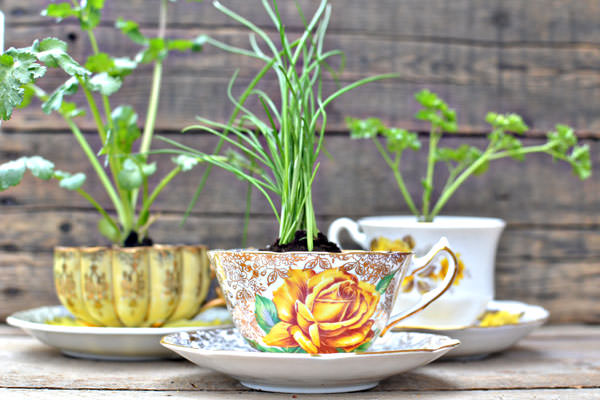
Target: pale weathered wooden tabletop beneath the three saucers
(537, 362)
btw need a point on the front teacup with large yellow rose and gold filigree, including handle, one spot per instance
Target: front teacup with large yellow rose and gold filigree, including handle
(318, 302)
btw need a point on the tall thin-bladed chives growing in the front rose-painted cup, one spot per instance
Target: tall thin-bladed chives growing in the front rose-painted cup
(277, 152)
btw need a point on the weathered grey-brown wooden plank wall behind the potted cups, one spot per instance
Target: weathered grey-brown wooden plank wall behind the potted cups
(540, 58)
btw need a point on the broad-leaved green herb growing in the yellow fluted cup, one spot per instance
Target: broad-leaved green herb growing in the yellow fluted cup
(102, 75)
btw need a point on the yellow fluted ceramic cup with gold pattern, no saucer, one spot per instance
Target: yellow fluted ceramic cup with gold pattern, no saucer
(134, 287)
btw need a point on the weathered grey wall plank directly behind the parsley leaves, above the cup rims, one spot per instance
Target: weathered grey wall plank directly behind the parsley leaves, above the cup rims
(356, 182)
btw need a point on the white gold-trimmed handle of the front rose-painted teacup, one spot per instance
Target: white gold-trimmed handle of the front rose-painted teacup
(429, 297)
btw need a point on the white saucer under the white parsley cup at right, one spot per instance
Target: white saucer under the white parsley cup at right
(479, 341)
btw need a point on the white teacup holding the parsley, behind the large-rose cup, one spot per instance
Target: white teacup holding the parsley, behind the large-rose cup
(474, 239)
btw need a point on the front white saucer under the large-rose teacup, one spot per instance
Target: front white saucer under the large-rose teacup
(226, 351)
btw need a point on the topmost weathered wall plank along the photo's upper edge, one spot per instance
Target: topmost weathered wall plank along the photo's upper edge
(497, 21)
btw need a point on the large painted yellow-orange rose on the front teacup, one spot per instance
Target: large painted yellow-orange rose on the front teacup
(323, 312)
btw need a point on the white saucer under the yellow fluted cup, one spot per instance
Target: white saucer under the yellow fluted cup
(104, 343)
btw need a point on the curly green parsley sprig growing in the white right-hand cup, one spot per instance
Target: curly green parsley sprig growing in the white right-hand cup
(464, 161)
